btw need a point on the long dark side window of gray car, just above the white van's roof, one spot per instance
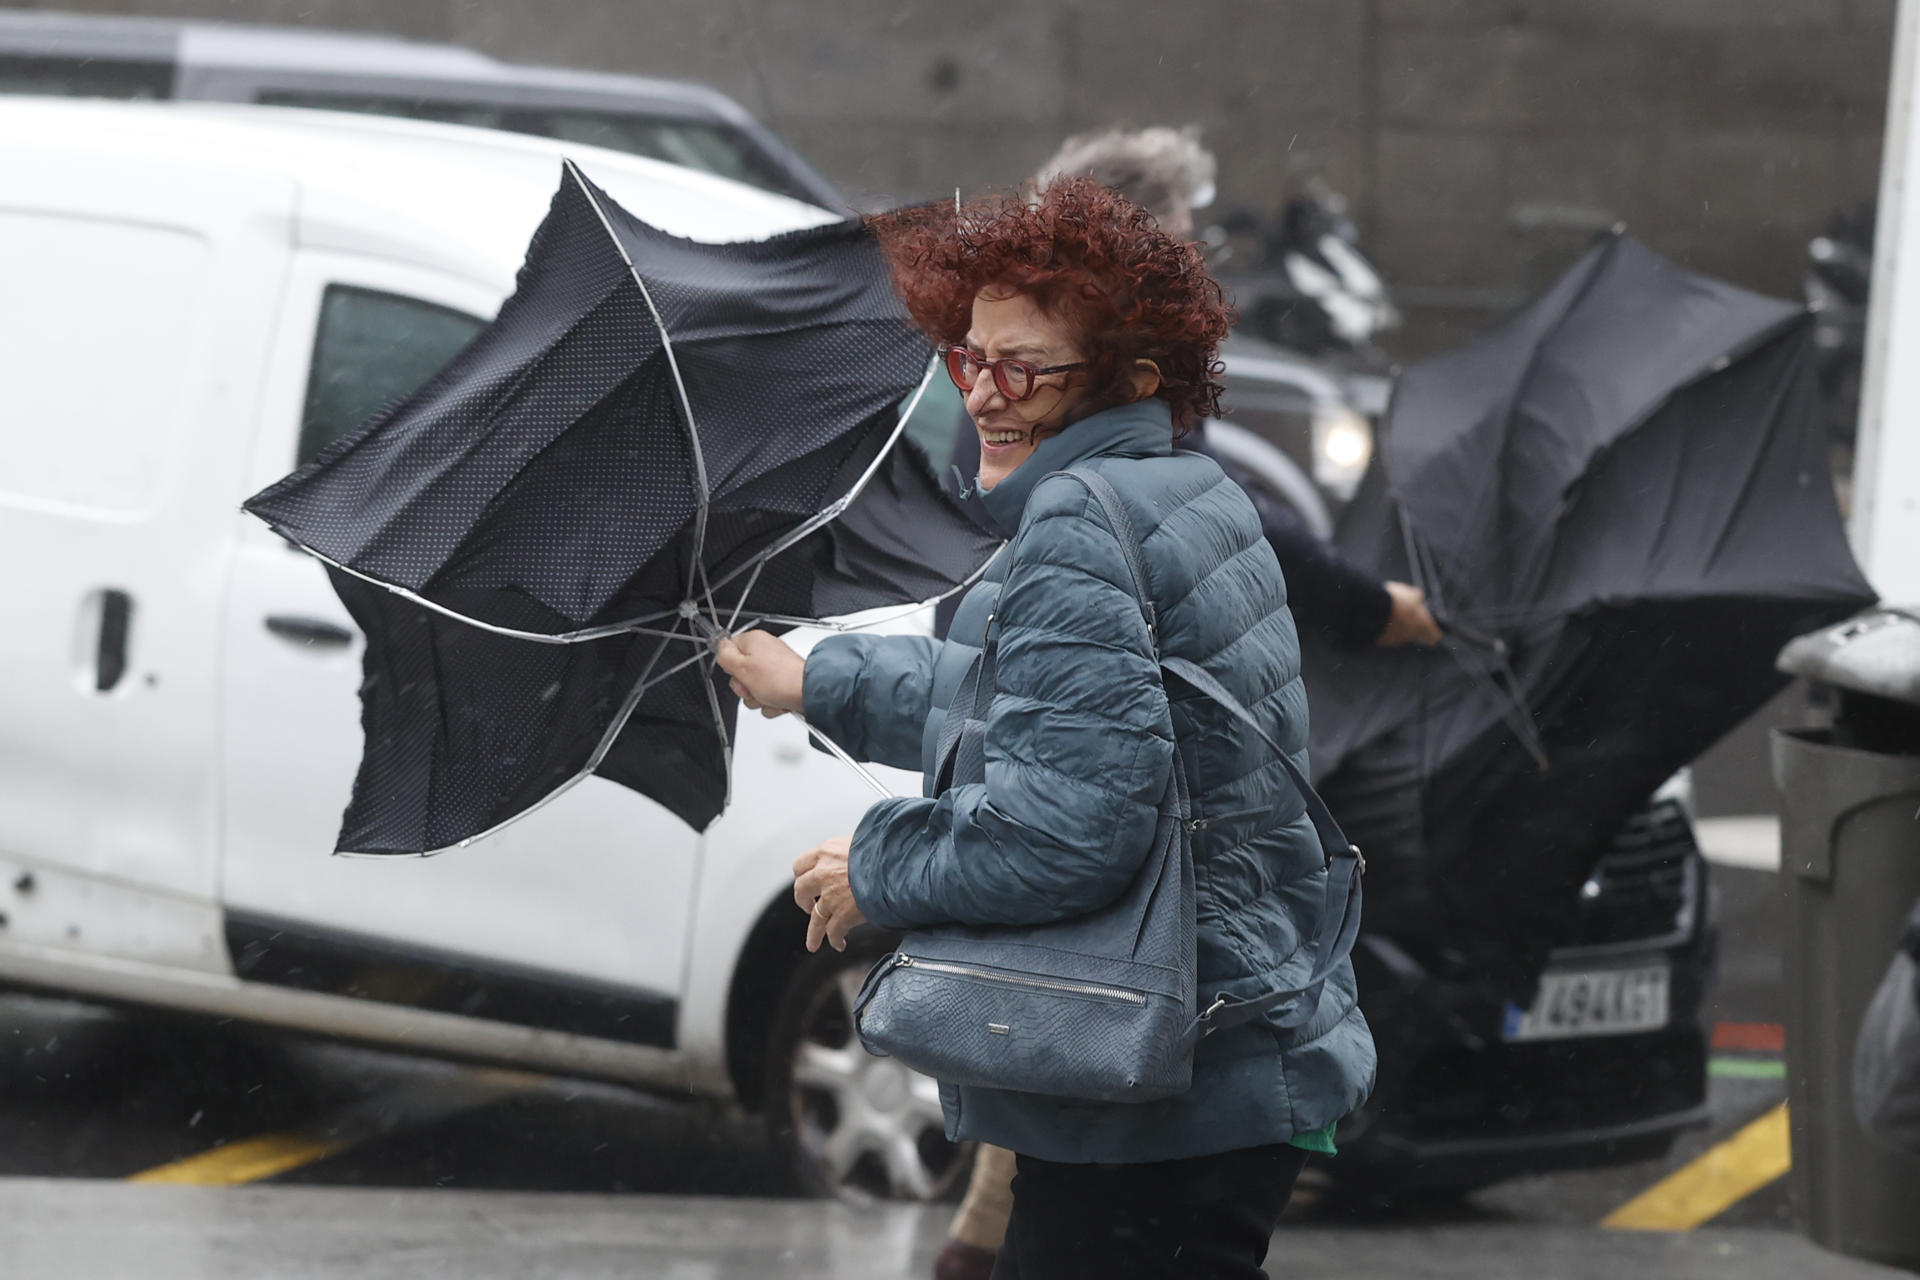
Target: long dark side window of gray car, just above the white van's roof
(709, 147)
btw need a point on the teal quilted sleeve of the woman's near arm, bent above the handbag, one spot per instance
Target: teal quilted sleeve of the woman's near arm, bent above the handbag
(1080, 747)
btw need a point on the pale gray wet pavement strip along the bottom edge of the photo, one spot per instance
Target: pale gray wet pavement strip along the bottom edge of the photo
(116, 1231)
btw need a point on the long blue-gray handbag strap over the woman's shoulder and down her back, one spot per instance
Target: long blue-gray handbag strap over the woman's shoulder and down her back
(1339, 924)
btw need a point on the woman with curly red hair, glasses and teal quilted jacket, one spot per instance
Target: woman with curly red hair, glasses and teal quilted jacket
(1086, 341)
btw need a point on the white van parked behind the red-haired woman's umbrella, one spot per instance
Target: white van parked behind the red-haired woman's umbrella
(193, 300)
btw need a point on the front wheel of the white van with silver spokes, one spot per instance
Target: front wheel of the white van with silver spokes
(852, 1126)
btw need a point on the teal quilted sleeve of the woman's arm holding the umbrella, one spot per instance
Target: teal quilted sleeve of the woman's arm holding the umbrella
(871, 694)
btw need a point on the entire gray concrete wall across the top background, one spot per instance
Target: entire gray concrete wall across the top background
(1721, 131)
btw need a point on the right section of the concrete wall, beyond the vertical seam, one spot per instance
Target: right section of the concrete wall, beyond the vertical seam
(1723, 133)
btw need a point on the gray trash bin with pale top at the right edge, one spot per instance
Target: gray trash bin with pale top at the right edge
(1850, 845)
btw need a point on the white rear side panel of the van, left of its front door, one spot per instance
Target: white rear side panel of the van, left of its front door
(133, 333)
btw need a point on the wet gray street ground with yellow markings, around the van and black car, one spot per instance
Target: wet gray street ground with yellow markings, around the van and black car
(345, 1150)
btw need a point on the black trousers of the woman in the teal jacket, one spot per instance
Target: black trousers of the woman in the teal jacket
(1191, 1220)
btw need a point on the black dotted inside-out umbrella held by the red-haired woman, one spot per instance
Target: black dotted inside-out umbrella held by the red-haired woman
(656, 442)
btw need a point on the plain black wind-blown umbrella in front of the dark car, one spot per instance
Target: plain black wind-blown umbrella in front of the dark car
(1620, 504)
